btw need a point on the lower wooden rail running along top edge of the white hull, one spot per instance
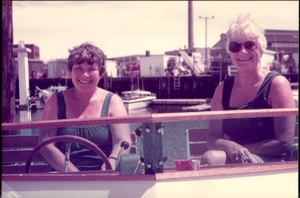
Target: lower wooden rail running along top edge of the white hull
(233, 169)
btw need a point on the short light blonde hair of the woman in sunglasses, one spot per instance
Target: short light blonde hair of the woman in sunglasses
(247, 26)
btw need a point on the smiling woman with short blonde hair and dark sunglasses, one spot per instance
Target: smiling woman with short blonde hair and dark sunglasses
(251, 140)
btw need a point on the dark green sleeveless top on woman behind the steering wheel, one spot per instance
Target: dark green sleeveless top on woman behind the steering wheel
(82, 157)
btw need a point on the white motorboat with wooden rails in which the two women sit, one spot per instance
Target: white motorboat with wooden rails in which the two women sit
(165, 161)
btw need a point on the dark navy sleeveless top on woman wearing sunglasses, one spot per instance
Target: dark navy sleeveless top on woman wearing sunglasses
(249, 130)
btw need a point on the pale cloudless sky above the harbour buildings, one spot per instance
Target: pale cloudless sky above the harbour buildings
(123, 28)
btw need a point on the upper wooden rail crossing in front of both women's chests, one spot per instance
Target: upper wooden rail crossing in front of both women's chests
(162, 117)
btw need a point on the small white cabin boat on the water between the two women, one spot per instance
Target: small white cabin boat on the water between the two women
(137, 99)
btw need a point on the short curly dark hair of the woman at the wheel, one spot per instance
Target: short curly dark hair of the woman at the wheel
(87, 52)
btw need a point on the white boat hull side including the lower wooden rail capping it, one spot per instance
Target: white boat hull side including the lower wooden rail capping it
(281, 177)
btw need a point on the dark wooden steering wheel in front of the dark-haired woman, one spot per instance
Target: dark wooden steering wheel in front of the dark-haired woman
(68, 139)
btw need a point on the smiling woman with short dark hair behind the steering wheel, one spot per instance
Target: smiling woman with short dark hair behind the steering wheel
(86, 64)
